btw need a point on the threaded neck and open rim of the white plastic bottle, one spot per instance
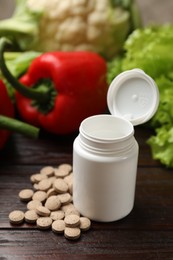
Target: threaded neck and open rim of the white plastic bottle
(106, 134)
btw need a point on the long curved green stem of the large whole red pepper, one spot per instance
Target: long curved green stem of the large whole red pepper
(41, 94)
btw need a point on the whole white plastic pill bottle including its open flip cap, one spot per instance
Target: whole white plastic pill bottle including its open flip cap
(105, 153)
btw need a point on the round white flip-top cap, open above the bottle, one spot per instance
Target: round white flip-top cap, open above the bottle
(134, 96)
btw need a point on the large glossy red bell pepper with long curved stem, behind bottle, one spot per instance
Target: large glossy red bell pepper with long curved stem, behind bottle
(60, 89)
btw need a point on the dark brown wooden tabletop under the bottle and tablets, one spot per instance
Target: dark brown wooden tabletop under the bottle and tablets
(146, 233)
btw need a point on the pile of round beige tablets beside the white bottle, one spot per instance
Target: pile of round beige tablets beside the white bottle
(50, 203)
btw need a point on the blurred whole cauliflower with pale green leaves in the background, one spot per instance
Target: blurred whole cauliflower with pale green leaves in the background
(71, 25)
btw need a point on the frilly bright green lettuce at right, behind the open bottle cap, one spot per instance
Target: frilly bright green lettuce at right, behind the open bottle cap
(151, 49)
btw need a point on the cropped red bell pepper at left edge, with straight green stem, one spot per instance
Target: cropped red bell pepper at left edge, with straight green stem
(7, 122)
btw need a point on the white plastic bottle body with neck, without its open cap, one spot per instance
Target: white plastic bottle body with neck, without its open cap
(105, 167)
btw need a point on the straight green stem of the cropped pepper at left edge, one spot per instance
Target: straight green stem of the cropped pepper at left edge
(15, 125)
